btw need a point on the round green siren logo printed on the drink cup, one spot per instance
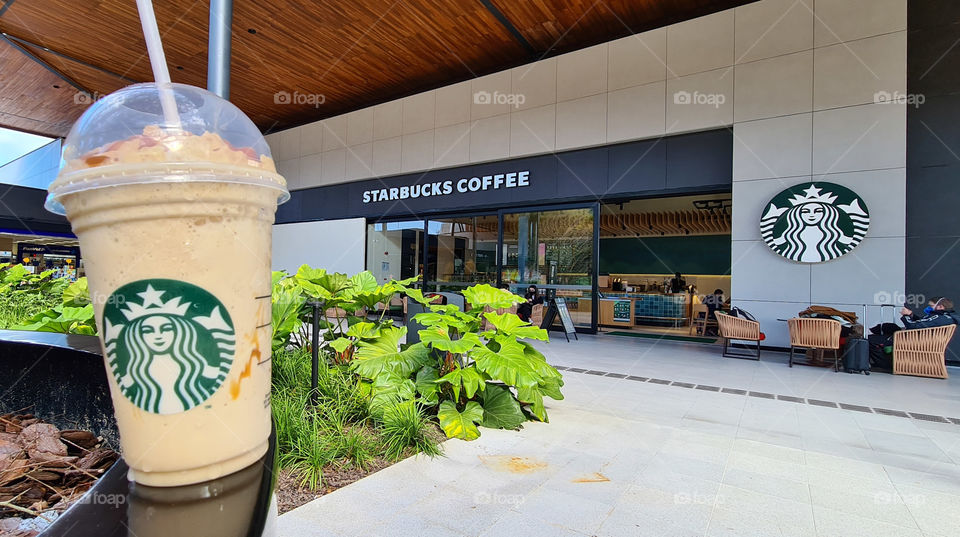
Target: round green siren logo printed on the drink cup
(169, 344)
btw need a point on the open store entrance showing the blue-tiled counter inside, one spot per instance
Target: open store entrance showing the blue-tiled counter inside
(662, 262)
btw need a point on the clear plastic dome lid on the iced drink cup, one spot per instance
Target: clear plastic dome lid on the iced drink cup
(126, 138)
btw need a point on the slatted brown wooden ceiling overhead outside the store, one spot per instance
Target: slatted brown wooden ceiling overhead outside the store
(356, 53)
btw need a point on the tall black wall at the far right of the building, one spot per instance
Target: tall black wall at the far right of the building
(933, 152)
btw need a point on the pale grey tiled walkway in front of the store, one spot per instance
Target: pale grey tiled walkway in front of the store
(623, 457)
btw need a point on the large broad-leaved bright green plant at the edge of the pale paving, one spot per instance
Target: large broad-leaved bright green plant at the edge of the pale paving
(473, 376)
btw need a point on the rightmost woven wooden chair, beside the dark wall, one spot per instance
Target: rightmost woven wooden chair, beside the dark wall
(921, 352)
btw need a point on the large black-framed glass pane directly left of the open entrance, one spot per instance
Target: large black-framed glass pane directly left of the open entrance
(554, 251)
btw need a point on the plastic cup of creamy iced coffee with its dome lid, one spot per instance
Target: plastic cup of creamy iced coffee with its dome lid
(174, 222)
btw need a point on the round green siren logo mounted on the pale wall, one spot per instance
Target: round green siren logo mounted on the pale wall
(814, 222)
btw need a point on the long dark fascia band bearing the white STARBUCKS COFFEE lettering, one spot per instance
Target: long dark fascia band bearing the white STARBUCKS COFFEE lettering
(699, 162)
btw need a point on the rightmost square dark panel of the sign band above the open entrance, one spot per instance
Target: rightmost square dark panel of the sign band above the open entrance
(702, 159)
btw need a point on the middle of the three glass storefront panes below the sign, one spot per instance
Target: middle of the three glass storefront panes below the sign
(462, 252)
